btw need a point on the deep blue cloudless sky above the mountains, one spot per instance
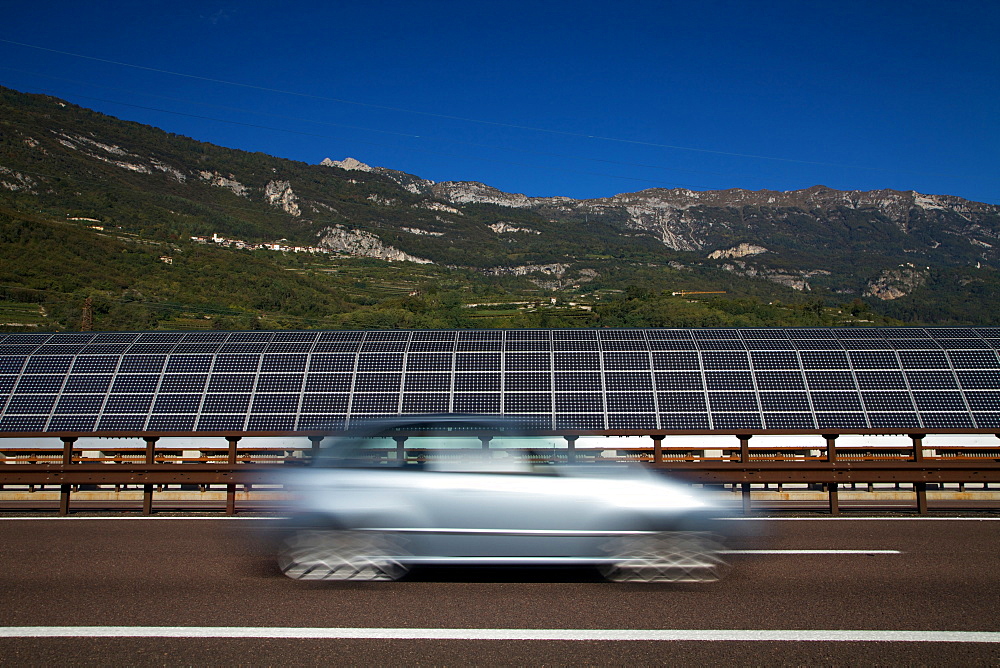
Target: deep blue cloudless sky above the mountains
(583, 99)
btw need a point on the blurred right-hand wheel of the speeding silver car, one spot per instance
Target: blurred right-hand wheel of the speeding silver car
(671, 556)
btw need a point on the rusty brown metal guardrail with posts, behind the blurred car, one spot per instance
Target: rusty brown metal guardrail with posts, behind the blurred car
(829, 467)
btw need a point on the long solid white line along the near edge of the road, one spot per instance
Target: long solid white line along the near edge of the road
(727, 635)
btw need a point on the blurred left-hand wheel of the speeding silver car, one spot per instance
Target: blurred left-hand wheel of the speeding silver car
(325, 554)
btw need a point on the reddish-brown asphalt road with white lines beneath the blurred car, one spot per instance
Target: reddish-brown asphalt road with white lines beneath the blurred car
(77, 591)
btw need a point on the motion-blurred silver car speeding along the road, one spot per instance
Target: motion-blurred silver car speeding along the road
(460, 490)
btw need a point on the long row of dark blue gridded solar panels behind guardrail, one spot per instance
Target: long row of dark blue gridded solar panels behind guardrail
(698, 380)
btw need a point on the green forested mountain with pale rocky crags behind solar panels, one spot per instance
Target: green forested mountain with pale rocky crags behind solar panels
(108, 184)
